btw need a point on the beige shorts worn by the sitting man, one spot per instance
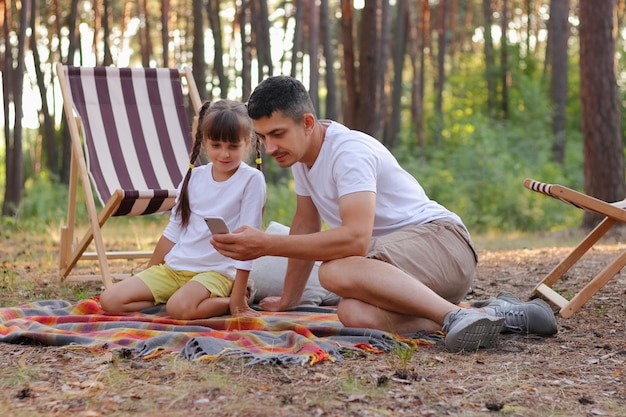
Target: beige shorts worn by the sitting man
(440, 254)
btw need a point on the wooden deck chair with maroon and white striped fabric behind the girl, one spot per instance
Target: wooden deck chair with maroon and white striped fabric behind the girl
(136, 137)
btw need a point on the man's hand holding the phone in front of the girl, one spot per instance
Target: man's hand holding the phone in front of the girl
(243, 244)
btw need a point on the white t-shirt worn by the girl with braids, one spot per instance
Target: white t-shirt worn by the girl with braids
(239, 200)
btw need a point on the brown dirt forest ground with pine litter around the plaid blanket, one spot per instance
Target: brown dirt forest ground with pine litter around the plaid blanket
(578, 372)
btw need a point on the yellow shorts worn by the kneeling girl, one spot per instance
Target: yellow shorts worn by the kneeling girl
(163, 281)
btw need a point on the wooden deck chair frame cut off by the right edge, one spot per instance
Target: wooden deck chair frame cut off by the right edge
(614, 213)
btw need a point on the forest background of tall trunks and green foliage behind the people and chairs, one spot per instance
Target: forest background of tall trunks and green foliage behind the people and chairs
(472, 96)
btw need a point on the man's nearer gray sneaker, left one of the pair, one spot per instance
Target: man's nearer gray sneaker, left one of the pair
(467, 329)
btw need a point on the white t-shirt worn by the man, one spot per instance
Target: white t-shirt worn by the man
(351, 161)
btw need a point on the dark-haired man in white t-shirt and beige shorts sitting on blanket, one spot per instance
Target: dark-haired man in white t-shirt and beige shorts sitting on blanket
(399, 261)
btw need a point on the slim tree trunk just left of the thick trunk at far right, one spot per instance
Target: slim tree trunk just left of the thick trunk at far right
(558, 35)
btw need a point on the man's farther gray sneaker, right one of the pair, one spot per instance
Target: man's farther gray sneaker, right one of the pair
(533, 316)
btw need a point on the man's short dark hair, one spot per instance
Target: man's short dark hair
(280, 93)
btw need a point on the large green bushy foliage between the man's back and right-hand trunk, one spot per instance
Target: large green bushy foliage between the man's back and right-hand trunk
(479, 168)
